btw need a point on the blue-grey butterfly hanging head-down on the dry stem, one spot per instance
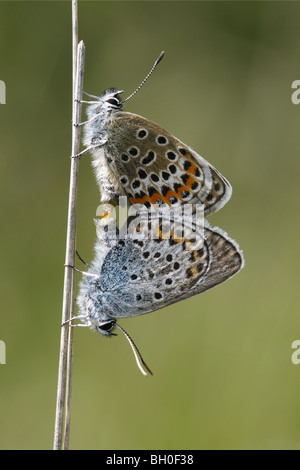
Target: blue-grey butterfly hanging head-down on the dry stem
(158, 260)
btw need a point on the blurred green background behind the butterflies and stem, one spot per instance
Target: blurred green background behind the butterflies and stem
(223, 375)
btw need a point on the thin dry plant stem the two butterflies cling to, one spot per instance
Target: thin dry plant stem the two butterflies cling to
(62, 427)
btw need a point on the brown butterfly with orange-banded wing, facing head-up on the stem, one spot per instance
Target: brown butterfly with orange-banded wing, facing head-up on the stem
(135, 157)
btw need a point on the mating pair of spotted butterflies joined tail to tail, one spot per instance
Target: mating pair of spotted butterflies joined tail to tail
(136, 273)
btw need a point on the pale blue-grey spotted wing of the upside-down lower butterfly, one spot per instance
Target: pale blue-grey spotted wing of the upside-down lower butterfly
(145, 274)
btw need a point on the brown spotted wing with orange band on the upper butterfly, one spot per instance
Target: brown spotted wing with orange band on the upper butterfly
(154, 167)
